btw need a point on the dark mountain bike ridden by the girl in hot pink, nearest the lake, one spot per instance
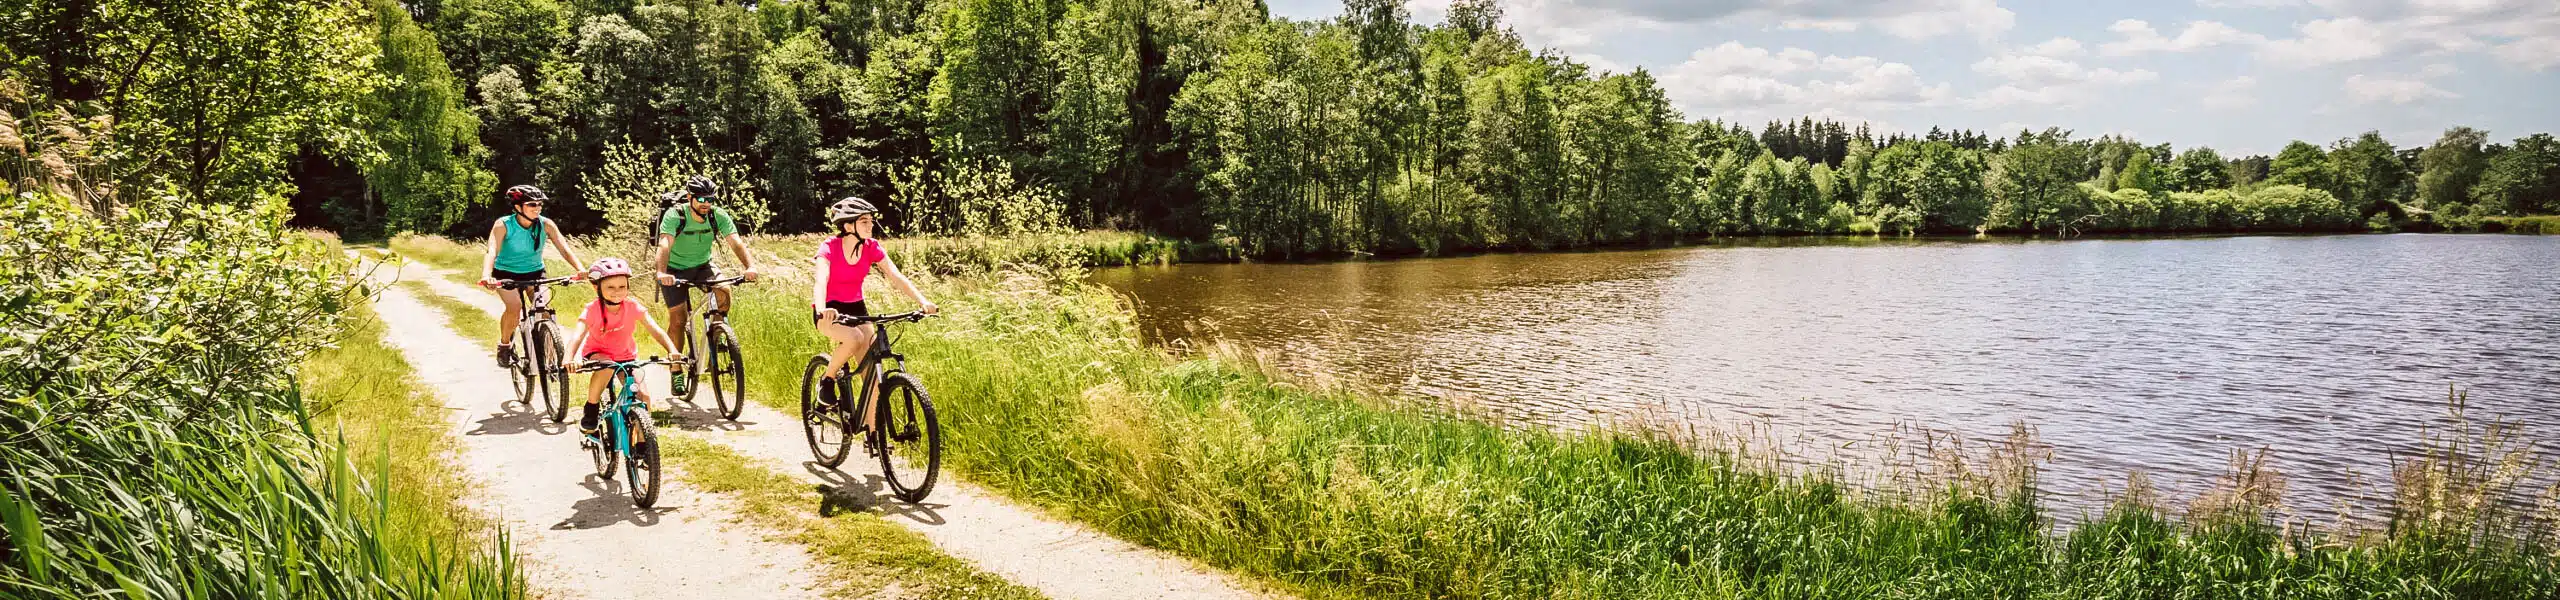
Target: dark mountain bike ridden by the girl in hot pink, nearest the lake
(902, 424)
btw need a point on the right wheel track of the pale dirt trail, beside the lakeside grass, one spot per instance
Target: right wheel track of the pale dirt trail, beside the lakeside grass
(1028, 547)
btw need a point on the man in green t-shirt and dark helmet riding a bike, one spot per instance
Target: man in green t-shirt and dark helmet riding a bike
(685, 255)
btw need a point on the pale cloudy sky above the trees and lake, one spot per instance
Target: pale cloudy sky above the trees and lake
(2239, 76)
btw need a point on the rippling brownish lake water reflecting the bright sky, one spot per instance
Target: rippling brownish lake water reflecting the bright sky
(2152, 355)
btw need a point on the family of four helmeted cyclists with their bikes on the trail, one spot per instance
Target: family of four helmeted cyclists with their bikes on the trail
(687, 235)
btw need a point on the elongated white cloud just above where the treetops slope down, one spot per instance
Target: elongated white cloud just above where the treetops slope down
(1750, 83)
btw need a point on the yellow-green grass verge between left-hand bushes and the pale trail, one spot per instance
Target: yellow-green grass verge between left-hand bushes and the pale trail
(362, 394)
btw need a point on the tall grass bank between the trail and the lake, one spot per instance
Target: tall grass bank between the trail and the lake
(1051, 399)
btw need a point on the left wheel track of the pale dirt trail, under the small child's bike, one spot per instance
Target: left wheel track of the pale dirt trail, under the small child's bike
(577, 532)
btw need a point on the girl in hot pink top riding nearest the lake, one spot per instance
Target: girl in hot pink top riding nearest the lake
(838, 286)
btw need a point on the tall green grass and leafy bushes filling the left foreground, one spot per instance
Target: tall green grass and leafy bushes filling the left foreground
(152, 432)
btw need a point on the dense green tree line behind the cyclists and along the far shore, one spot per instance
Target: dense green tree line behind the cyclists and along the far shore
(1199, 119)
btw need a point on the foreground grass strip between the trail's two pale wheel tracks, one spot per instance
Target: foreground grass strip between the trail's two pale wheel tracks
(864, 555)
